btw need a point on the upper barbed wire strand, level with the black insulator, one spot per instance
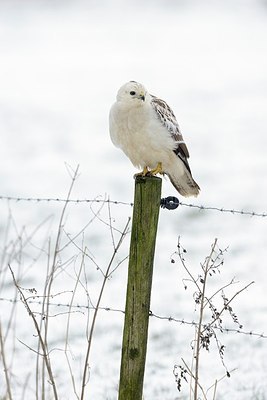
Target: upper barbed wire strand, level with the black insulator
(116, 202)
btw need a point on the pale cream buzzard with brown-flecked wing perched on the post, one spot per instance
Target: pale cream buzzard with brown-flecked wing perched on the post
(146, 129)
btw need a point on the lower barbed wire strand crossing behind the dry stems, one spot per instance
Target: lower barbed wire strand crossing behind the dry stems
(151, 314)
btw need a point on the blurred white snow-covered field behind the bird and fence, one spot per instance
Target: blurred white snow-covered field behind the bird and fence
(61, 64)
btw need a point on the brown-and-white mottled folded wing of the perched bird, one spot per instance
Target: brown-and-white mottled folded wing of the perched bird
(167, 118)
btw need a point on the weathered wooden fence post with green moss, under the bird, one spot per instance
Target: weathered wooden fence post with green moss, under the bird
(143, 239)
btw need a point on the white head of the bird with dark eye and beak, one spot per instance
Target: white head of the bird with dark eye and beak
(132, 93)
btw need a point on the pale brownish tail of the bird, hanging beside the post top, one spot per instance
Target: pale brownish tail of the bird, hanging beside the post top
(184, 183)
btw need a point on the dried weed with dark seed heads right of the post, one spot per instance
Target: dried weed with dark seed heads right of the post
(205, 332)
